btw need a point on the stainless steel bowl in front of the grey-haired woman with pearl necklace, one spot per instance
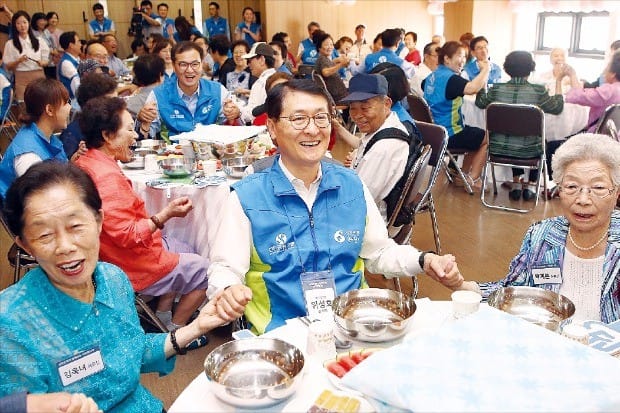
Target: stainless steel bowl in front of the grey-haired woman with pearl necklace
(535, 305)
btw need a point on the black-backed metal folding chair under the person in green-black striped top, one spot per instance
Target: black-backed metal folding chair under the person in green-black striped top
(514, 120)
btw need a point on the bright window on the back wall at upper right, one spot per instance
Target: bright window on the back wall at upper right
(581, 34)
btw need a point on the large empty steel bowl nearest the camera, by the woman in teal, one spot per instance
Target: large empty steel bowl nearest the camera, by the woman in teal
(254, 372)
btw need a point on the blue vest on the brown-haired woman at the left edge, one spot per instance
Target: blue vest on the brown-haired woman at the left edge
(29, 139)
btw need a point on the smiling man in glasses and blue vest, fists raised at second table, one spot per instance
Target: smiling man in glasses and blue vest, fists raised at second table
(186, 99)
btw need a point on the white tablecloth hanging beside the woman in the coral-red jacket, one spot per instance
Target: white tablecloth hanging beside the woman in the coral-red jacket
(199, 227)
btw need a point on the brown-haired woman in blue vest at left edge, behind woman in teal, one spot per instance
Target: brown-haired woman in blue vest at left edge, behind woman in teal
(47, 111)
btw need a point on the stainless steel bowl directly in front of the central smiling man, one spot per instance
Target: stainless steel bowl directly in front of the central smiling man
(373, 314)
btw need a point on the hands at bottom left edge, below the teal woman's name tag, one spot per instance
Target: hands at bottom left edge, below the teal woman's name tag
(61, 402)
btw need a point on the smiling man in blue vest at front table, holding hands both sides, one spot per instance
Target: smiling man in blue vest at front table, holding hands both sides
(299, 233)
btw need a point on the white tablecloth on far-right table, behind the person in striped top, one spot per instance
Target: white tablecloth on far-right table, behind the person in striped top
(572, 119)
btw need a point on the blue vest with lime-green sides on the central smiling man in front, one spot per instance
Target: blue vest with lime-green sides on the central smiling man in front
(330, 235)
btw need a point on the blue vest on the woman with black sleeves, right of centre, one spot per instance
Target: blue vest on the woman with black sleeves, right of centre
(446, 113)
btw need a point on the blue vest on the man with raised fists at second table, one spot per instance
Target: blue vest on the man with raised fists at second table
(175, 115)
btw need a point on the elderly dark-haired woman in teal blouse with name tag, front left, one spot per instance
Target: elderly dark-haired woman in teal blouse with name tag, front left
(71, 324)
